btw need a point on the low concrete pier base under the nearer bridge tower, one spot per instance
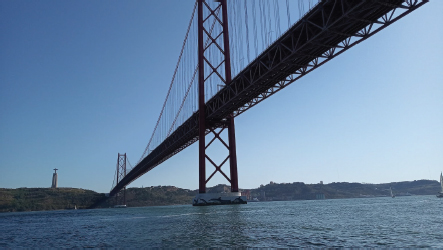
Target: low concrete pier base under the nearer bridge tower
(219, 199)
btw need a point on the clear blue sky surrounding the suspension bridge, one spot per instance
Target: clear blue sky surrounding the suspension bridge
(81, 81)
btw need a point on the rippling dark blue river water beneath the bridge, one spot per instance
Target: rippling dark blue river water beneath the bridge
(414, 221)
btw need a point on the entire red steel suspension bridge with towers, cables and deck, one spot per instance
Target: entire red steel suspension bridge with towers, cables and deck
(214, 50)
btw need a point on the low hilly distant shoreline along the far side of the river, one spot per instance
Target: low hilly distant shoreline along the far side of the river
(48, 199)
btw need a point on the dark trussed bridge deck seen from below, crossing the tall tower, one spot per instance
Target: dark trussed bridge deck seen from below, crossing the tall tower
(329, 29)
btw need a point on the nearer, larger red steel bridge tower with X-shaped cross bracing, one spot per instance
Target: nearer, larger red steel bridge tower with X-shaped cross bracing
(219, 39)
